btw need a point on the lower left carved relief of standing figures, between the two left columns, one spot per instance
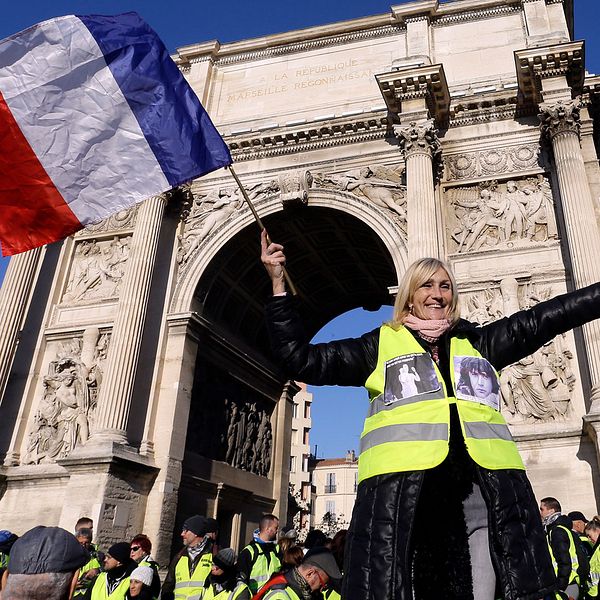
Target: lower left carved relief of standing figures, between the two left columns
(65, 414)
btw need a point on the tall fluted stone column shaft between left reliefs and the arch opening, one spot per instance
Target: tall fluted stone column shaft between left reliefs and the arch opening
(114, 398)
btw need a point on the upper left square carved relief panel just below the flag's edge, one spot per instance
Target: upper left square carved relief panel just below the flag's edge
(97, 270)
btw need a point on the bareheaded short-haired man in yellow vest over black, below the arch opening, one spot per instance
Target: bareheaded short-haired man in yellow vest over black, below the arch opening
(261, 557)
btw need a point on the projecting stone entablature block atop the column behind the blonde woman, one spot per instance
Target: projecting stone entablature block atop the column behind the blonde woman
(417, 93)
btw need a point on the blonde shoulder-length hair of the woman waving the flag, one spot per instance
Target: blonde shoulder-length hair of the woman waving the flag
(416, 275)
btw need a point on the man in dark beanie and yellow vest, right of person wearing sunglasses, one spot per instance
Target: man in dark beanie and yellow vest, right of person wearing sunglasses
(191, 566)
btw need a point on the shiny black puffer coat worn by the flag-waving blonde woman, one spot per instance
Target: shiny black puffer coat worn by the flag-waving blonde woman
(391, 536)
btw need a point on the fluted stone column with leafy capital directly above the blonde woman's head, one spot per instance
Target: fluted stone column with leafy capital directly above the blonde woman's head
(422, 150)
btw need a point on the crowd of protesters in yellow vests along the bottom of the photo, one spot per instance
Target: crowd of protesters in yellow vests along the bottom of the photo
(52, 564)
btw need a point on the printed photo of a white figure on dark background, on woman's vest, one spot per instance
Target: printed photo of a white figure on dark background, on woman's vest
(409, 376)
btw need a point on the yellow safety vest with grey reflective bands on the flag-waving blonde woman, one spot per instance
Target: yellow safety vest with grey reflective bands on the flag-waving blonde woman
(412, 434)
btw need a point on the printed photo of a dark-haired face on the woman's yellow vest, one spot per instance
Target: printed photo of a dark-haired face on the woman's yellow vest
(476, 381)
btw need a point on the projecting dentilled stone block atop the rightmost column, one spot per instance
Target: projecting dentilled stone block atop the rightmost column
(536, 65)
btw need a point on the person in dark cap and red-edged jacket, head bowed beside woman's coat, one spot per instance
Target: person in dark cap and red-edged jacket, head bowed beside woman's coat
(317, 570)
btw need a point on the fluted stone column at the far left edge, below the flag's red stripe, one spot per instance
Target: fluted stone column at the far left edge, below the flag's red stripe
(14, 296)
